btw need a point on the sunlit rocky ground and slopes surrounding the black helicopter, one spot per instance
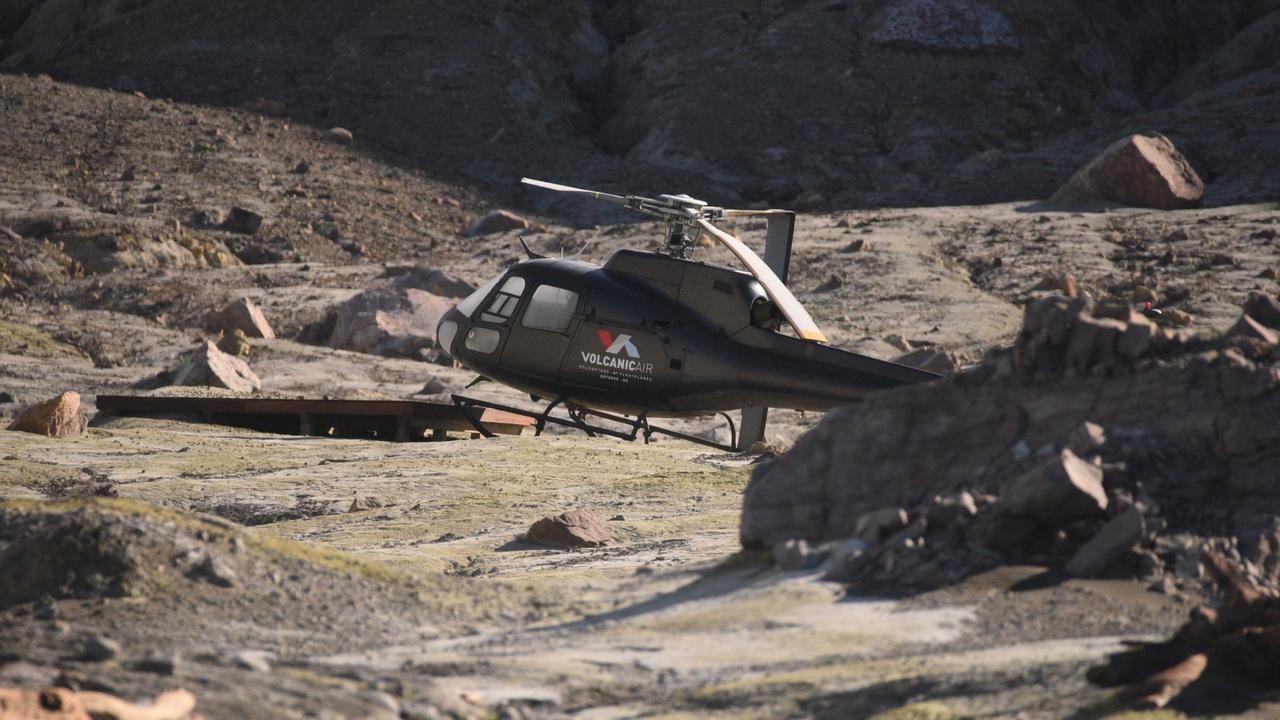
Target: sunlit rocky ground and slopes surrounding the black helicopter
(145, 186)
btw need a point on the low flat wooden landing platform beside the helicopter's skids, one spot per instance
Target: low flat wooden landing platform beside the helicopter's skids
(373, 420)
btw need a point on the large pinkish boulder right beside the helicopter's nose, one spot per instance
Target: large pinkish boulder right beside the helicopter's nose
(396, 322)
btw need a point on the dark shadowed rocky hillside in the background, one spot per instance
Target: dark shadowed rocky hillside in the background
(813, 104)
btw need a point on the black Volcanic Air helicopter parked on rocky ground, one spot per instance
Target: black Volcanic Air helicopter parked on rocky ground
(656, 334)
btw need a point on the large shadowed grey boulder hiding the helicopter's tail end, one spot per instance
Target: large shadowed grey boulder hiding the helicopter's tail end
(1199, 422)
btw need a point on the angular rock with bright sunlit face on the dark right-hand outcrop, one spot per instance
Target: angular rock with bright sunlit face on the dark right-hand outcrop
(1058, 493)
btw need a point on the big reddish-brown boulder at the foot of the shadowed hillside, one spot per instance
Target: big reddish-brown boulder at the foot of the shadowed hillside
(1142, 171)
